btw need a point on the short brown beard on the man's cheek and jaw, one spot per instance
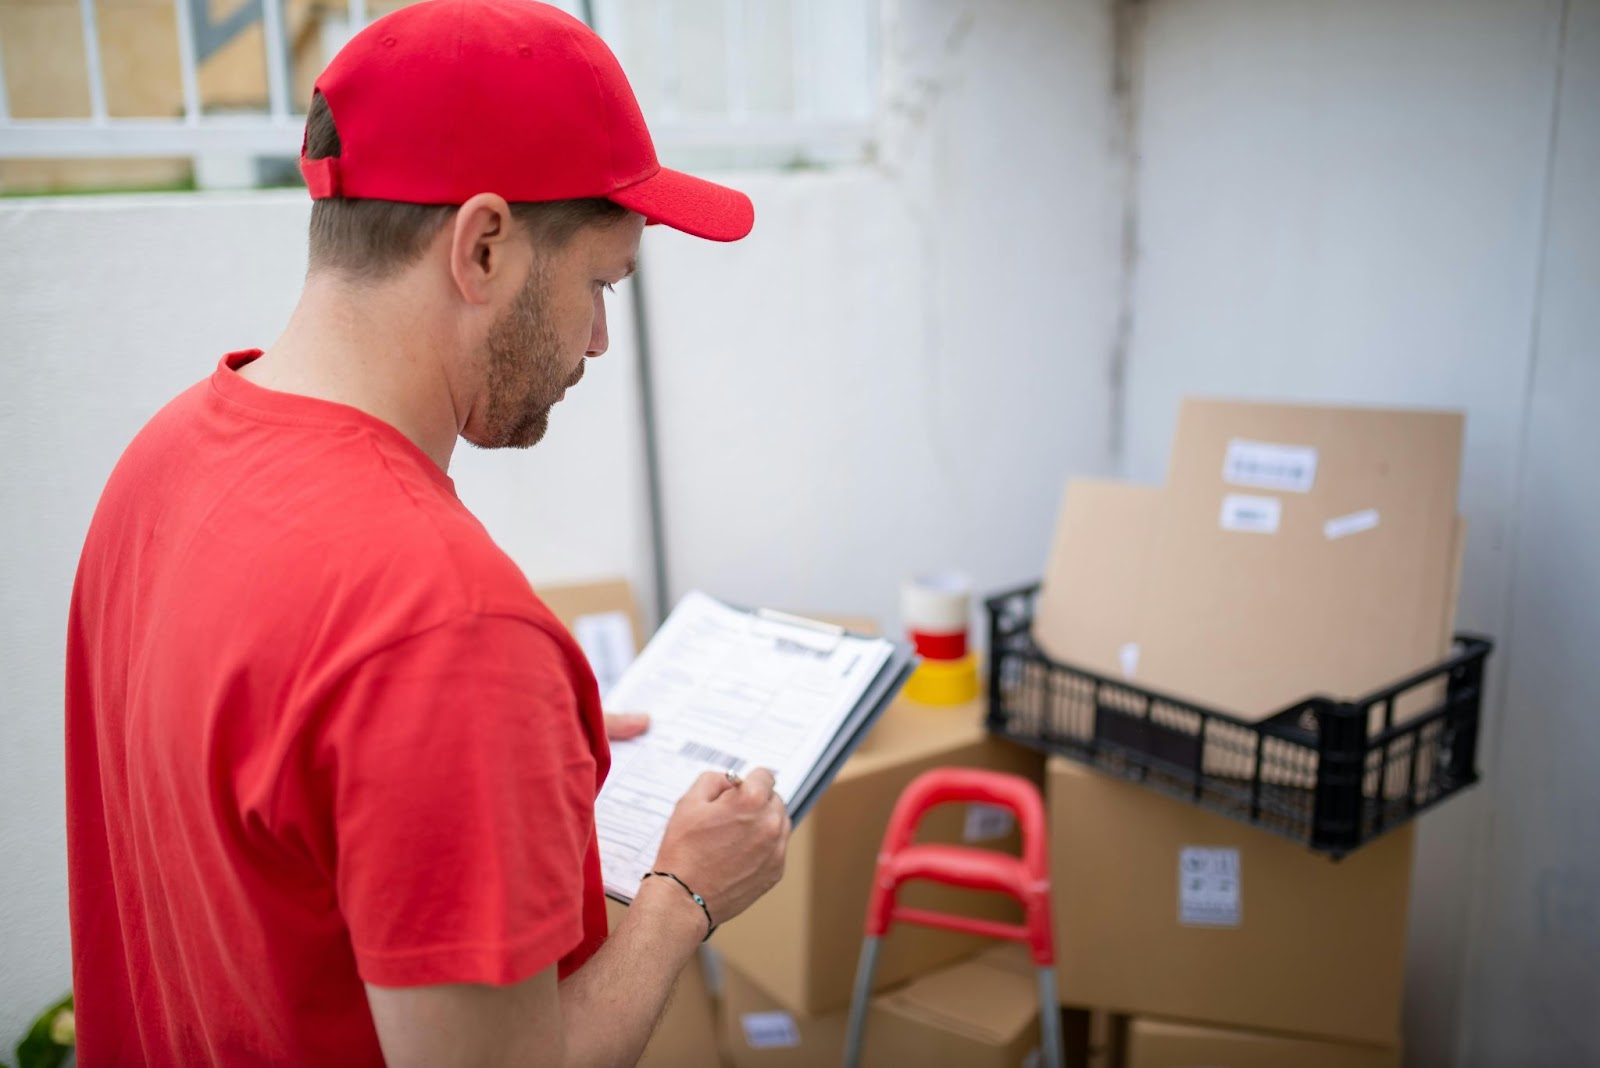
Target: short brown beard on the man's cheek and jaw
(526, 375)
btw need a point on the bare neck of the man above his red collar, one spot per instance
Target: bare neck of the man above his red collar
(370, 349)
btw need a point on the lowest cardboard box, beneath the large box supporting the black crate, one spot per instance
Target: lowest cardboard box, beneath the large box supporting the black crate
(1164, 1045)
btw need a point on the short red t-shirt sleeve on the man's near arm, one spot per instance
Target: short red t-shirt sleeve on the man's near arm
(463, 805)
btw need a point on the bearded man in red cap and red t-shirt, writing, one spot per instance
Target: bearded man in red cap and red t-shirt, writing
(330, 762)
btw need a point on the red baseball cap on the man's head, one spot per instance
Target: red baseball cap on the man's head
(446, 100)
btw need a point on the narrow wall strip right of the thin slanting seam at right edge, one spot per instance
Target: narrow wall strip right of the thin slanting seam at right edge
(1534, 968)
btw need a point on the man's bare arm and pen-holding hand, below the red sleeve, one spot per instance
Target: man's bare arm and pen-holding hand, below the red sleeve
(727, 842)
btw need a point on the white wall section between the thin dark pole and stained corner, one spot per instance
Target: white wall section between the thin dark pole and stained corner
(902, 365)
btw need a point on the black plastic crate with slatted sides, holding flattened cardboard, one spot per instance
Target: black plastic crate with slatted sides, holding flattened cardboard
(1332, 775)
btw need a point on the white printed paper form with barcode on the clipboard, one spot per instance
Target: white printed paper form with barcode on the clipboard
(726, 691)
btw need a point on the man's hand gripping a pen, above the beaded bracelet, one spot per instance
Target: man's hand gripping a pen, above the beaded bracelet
(727, 842)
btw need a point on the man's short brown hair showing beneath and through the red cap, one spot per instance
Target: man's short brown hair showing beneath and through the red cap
(375, 239)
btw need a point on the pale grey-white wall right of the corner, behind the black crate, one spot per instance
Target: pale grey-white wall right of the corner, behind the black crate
(1346, 202)
